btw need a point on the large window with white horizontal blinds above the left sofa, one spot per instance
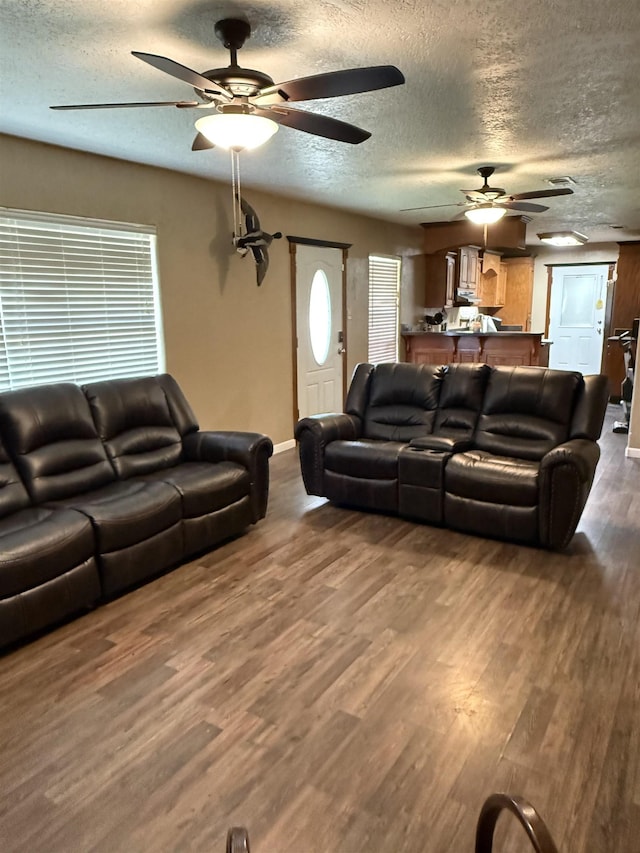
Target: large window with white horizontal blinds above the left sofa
(79, 300)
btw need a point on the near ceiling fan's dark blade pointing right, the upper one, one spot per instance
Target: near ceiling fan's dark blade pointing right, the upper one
(334, 83)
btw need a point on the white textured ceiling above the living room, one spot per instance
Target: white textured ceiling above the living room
(539, 90)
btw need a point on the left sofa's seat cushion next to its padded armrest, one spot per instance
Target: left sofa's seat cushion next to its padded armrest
(205, 486)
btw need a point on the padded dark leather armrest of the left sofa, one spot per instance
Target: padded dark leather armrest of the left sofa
(250, 449)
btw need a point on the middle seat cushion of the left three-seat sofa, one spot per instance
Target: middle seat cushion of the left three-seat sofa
(125, 513)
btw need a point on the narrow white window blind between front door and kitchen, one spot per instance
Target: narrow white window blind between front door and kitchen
(384, 291)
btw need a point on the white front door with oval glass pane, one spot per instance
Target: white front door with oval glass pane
(319, 329)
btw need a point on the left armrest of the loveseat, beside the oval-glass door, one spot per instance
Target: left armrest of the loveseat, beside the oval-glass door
(313, 434)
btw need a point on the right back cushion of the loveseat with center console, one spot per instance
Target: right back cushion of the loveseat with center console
(526, 411)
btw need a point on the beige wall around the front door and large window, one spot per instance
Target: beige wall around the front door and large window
(227, 341)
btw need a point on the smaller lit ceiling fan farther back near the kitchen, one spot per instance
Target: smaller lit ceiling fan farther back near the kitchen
(491, 203)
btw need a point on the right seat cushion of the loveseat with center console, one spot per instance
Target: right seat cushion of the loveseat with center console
(485, 477)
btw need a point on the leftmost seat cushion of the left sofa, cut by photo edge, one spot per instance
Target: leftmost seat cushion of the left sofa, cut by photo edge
(38, 544)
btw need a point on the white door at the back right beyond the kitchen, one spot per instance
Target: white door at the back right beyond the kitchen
(576, 317)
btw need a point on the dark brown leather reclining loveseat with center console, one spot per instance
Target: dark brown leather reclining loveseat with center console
(508, 452)
